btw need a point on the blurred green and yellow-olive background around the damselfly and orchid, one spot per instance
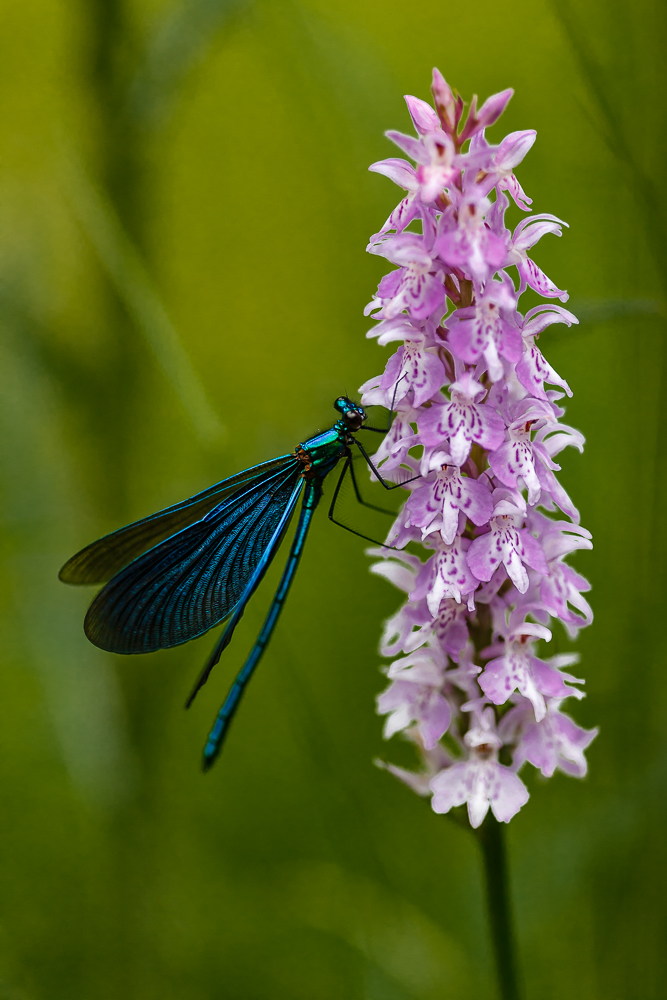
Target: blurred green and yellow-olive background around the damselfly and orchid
(202, 168)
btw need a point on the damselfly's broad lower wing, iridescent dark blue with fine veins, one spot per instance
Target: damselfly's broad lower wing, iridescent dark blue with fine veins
(191, 581)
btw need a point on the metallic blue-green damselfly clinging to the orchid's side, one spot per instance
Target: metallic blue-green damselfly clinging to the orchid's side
(176, 574)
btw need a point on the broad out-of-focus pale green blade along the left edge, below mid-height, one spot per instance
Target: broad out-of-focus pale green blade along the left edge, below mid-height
(39, 496)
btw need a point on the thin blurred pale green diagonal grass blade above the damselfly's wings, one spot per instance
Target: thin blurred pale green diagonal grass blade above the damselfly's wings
(128, 274)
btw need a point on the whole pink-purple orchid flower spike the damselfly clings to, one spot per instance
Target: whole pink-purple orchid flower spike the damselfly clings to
(478, 427)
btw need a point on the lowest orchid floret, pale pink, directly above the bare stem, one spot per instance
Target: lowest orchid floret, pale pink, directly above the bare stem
(480, 781)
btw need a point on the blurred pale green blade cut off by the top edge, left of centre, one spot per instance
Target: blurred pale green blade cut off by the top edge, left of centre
(177, 44)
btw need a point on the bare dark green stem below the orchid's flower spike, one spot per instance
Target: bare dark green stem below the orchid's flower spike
(492, 841)
